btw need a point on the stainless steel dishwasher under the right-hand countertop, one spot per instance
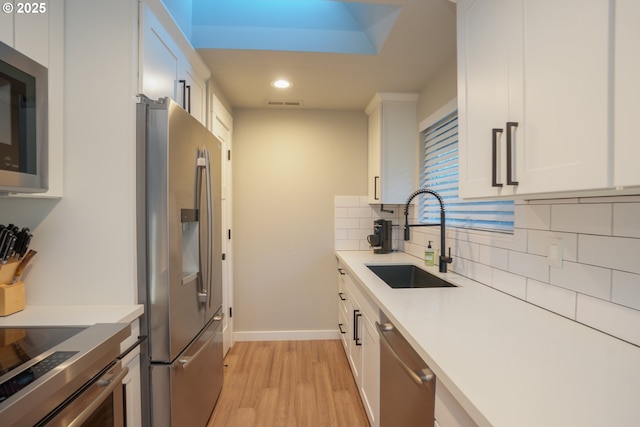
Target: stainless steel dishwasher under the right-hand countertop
(407, 385)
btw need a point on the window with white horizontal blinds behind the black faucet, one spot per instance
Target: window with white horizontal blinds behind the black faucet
(439, 143)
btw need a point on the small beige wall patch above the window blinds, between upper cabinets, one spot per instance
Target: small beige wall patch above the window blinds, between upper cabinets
(440, 90)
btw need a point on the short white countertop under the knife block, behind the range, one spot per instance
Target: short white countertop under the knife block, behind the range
(72, 315)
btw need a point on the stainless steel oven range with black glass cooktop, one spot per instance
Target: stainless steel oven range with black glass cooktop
(62, 376)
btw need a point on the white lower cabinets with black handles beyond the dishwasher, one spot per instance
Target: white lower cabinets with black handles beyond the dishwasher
(356, 321)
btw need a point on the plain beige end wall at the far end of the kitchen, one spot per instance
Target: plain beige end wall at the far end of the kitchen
(288, 166)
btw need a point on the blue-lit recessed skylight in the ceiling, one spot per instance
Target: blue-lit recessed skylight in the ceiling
(285, 25)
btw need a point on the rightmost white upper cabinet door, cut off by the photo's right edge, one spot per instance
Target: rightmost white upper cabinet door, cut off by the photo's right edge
(627, 93)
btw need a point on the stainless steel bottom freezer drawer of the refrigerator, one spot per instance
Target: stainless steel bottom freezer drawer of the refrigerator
(185, 392)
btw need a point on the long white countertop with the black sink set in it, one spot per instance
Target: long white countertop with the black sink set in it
(507, 362)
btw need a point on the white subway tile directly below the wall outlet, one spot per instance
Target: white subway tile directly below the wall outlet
(582, 278)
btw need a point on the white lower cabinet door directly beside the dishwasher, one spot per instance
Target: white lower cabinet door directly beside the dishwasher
(370, 388)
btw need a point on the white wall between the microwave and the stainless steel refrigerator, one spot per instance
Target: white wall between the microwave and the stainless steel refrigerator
(86, 240)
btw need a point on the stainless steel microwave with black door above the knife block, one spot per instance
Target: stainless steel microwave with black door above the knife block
(23, 123)
